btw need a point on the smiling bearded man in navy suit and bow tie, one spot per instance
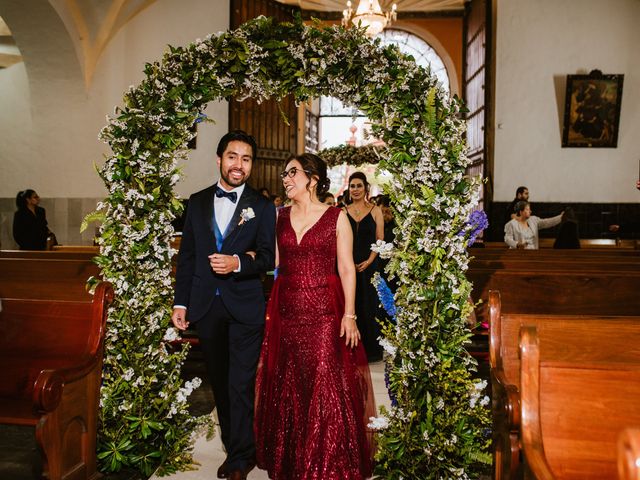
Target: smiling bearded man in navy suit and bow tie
(228, 240)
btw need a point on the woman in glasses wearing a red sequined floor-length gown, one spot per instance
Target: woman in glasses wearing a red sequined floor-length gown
(313, 387)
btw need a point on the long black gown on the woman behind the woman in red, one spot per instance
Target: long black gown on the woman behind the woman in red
(367, 303)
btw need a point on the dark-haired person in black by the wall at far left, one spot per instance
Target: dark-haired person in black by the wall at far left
(30, 230)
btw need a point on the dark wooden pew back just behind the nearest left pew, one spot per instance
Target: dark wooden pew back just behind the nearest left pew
(45, 279)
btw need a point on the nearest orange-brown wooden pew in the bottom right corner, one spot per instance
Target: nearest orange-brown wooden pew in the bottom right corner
(574, 409)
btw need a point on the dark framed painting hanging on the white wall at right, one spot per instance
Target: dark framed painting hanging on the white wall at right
(592, 110)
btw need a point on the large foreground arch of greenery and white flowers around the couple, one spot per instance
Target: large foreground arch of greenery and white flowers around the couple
(436, 430)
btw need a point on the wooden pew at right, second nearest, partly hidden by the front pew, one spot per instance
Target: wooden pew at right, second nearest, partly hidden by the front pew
(560, 341)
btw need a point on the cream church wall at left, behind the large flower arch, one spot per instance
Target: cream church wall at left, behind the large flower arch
(50, 120)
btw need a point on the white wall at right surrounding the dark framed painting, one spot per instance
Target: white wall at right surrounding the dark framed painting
(537, 45)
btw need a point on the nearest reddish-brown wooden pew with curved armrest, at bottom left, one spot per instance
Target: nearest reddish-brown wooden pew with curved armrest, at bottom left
(51, 362)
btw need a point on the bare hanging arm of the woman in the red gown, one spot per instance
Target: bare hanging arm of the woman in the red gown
(347, 272)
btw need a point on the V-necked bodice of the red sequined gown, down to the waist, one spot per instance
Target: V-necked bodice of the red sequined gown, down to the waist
(314, 258)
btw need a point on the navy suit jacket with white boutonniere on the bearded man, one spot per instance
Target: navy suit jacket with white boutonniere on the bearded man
(196, 283)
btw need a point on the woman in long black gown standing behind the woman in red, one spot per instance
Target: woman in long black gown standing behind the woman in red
(367, 225)
